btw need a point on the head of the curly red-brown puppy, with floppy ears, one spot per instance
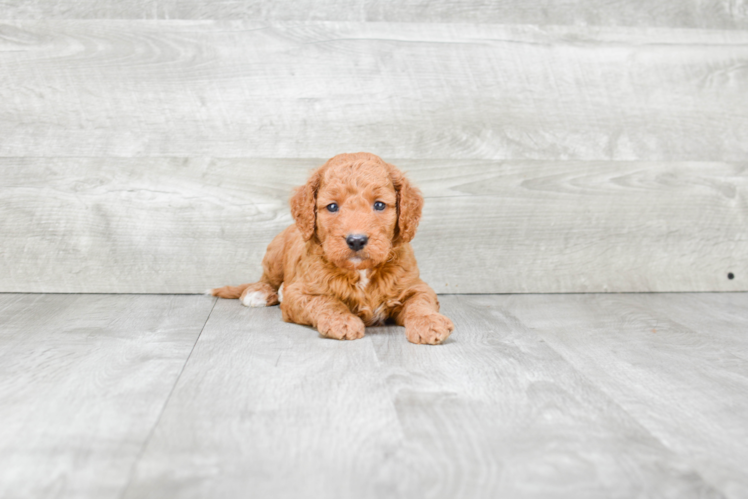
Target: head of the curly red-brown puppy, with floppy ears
(357, 207)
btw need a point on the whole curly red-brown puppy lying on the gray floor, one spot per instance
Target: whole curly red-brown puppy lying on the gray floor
(347, 262)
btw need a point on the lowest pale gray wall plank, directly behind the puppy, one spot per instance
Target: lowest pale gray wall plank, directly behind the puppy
(172, 225)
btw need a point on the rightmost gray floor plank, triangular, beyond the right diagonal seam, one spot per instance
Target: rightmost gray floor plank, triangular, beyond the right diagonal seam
(675, 363)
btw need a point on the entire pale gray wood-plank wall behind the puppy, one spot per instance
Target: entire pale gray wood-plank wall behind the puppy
(568, 146)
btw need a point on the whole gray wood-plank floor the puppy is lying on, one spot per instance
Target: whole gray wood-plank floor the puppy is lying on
(132, 396)
